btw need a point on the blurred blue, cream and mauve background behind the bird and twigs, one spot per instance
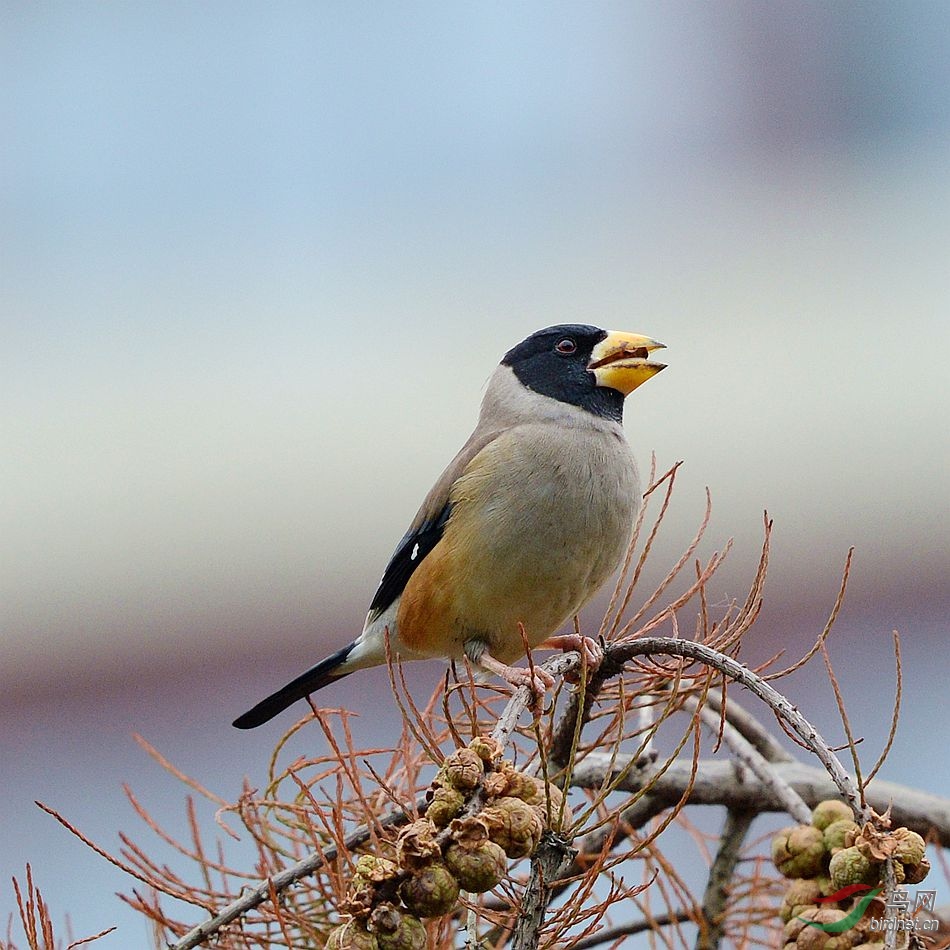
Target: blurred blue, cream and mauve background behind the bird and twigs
(258, 260)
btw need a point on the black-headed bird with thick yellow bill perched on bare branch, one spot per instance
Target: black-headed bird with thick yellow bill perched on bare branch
(526, 523)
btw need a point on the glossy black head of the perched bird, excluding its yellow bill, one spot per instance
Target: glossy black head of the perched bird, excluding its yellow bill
(554, 361)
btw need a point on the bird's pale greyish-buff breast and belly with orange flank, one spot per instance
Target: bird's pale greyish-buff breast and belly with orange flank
(541, 518)
